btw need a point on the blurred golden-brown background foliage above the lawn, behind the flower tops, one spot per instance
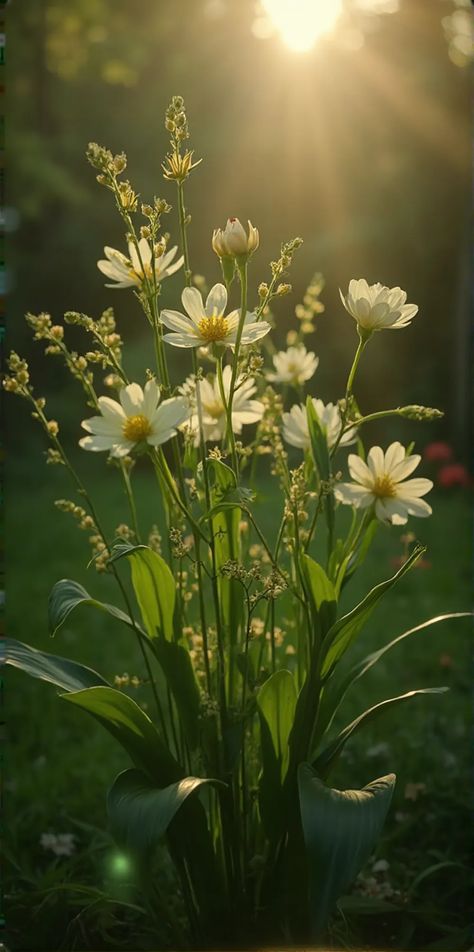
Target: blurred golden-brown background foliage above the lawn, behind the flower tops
(360, 145)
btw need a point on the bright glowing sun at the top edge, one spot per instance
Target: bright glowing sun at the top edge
(302, 22)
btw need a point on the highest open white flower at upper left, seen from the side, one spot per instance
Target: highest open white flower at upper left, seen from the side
(127, 272)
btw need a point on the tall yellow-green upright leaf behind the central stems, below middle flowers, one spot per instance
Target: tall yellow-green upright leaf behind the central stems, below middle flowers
(225, 527)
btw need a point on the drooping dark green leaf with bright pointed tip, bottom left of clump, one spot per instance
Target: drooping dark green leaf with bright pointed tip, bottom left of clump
(140, 813)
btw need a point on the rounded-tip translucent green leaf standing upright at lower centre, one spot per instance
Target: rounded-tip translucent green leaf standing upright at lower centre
(276, 703)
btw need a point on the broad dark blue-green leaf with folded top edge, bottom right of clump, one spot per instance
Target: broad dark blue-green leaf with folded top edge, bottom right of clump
(340, 829)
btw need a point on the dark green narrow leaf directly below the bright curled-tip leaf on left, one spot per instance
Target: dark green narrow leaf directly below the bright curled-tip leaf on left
(179, 673)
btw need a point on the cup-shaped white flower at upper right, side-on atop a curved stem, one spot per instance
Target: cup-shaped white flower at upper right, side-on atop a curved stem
(376, 307)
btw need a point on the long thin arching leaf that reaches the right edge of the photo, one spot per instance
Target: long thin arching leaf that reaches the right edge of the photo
(335, 689)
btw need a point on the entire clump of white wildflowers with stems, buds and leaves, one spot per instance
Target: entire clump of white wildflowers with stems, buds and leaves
(239, 635)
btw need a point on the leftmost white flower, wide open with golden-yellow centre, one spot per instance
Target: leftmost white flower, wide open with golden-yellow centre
(137, 418)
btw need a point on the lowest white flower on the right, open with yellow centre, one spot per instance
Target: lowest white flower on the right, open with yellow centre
(379, 482)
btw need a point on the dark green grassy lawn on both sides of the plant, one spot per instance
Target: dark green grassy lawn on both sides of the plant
(59, 762)
